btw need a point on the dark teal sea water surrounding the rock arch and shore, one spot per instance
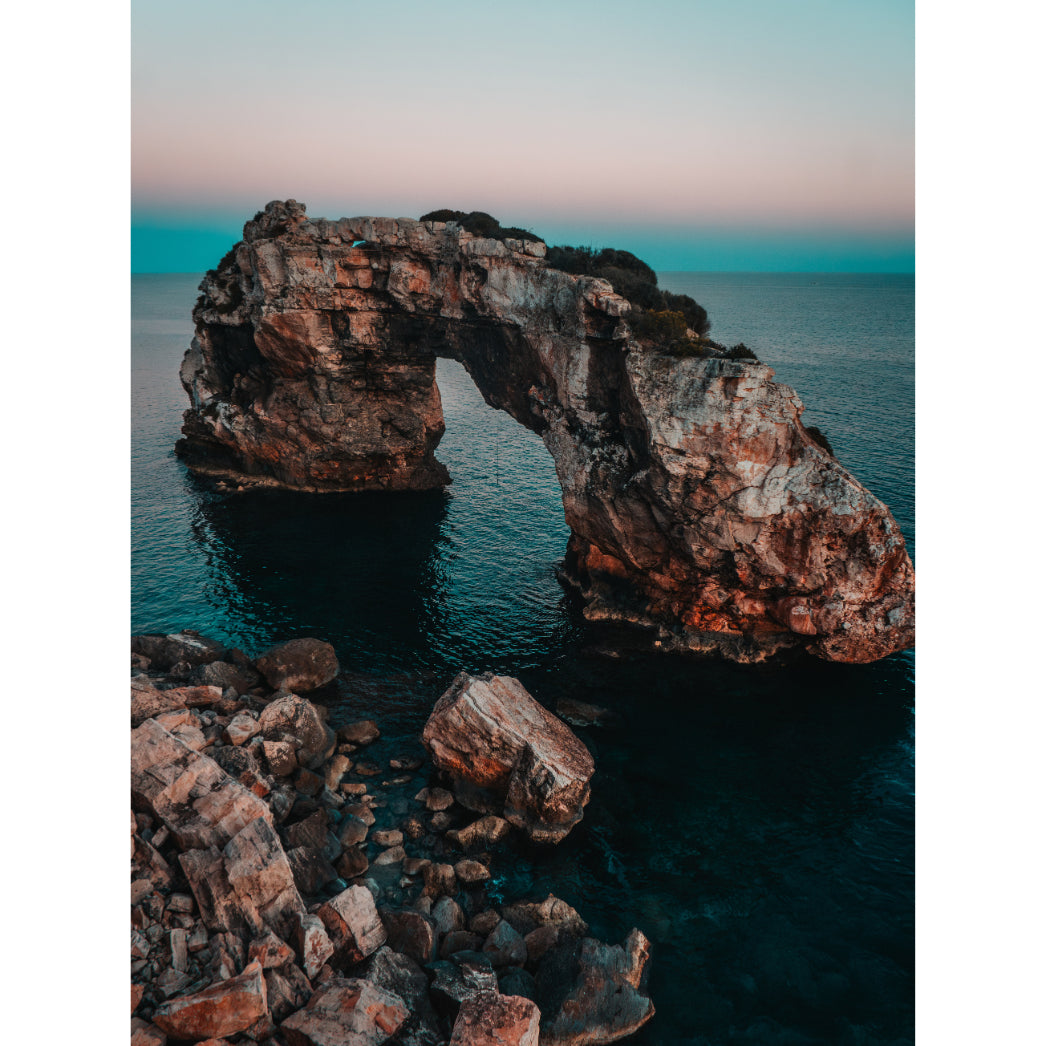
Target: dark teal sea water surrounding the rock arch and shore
(756, 823)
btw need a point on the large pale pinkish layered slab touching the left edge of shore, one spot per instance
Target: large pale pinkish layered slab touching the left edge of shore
(198, 802)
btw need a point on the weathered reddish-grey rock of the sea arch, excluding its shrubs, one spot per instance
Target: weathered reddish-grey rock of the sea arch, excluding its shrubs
(700, 508)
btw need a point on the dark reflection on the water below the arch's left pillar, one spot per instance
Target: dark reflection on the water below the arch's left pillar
(366, 572)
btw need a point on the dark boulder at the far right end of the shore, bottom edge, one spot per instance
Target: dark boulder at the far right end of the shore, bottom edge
(592, 993)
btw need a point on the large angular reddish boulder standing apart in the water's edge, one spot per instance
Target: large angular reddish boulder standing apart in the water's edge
(488, 731)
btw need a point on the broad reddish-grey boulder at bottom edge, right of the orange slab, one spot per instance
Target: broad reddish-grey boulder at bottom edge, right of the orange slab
(347, 1012)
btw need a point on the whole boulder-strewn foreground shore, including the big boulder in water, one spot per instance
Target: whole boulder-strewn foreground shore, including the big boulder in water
(289, 891)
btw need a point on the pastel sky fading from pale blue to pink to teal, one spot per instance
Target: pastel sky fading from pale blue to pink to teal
(699, 134)
